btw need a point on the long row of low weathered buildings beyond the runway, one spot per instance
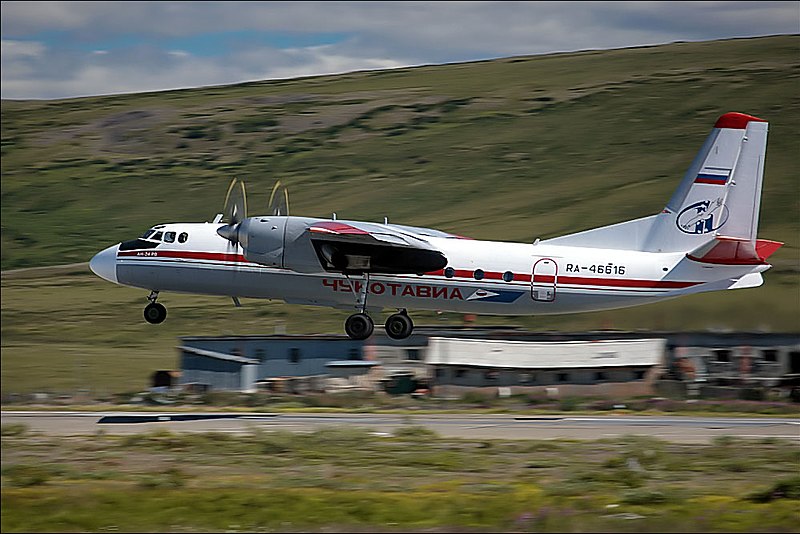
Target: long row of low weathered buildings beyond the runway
(507, 357)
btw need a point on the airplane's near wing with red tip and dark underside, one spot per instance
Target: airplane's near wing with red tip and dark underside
(362, 247)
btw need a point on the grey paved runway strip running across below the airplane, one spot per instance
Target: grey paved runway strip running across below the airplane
(675, 429)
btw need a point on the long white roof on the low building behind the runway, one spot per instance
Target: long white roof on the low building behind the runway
(545, 355)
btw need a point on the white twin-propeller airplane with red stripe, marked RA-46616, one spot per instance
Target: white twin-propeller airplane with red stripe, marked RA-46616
(703, 240)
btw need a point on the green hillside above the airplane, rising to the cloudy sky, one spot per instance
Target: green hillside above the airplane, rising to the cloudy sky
(511, 149)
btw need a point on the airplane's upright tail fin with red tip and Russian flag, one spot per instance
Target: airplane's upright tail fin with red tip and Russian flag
(720, 194)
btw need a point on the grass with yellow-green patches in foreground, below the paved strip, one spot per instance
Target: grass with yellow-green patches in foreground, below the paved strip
(352, 480)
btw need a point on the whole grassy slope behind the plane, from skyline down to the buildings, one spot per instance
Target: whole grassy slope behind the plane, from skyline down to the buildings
(510, 149)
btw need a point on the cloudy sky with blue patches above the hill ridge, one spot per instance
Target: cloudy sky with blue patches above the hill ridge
(67, 49)
